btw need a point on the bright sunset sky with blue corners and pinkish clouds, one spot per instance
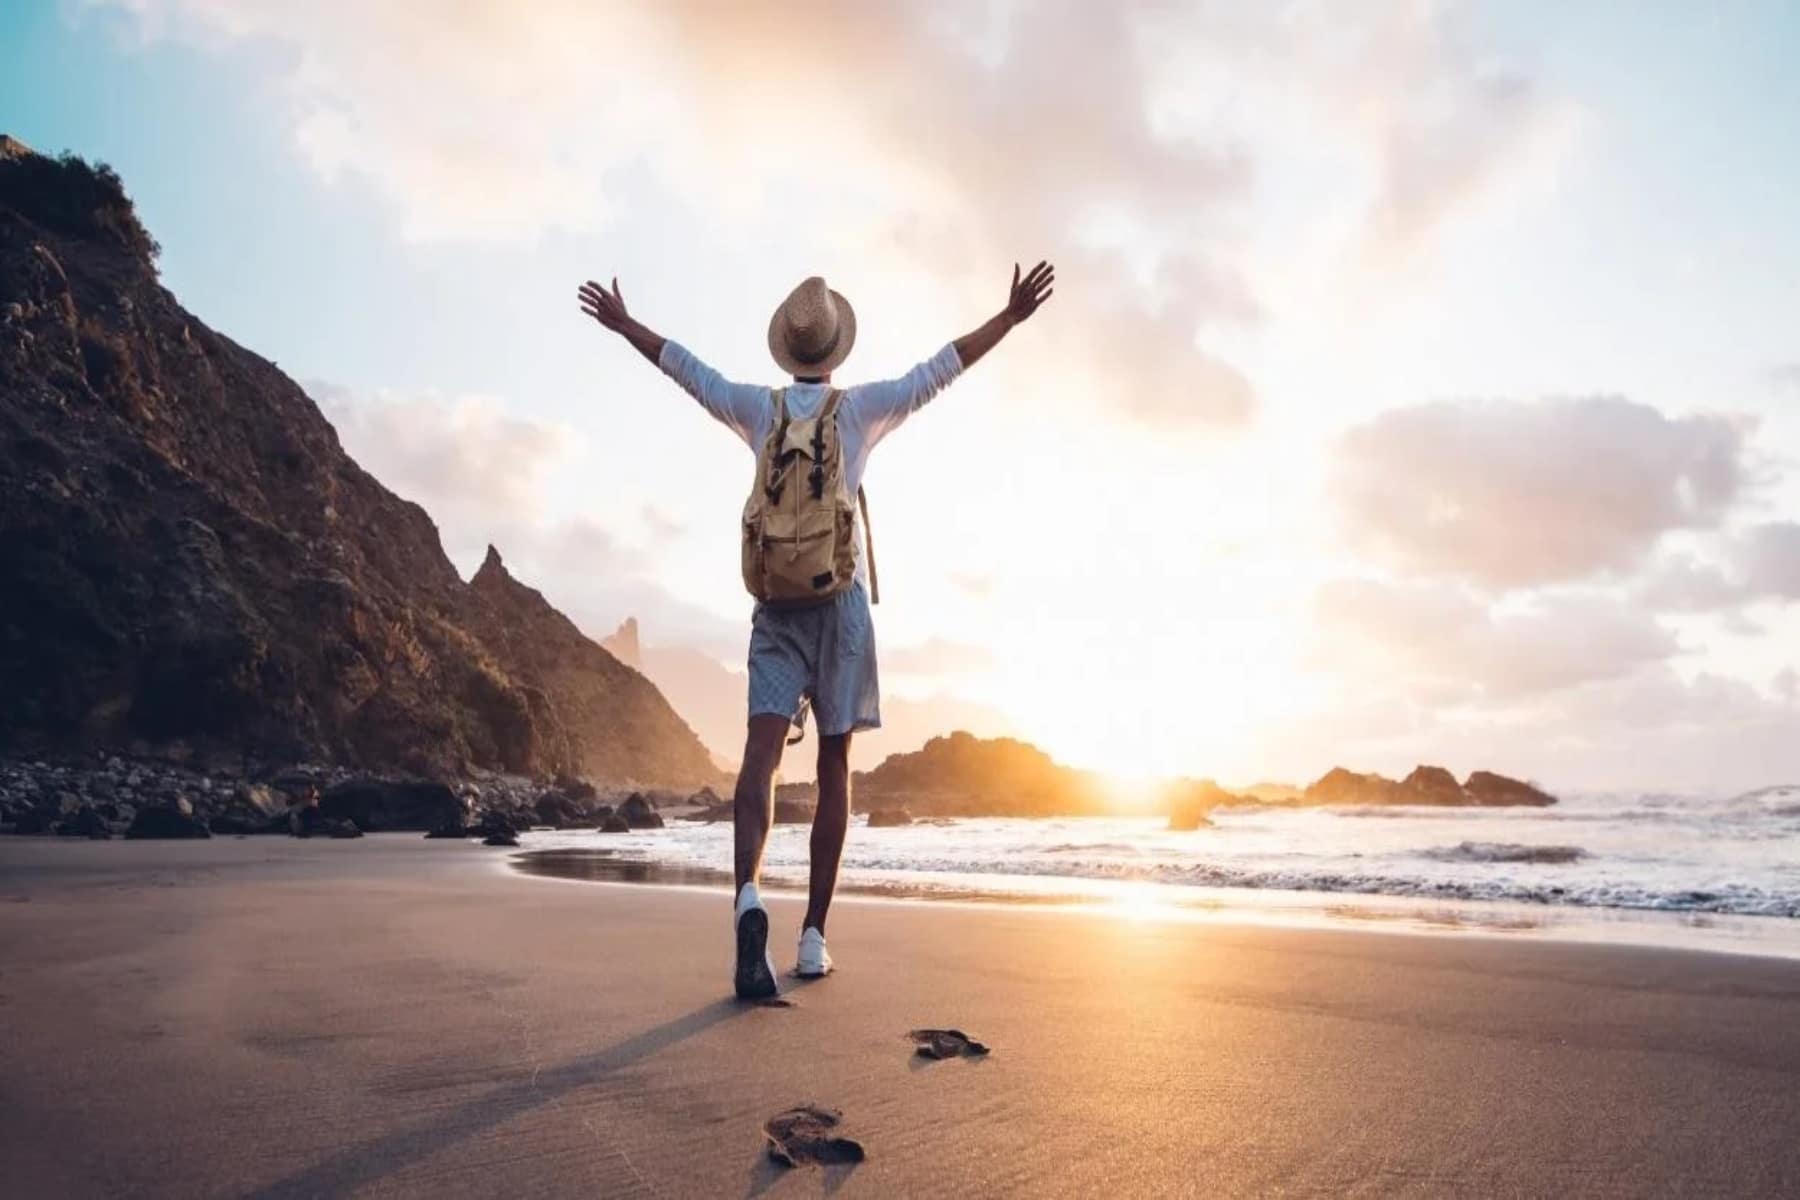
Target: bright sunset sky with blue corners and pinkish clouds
(1423, 381)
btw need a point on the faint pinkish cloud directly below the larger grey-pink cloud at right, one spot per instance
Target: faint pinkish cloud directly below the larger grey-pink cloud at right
(1441, 645)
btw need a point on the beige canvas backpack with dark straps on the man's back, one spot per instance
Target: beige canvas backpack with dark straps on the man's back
(800, 524)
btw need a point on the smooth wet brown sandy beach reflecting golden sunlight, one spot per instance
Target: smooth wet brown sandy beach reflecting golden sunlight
(265, 1017)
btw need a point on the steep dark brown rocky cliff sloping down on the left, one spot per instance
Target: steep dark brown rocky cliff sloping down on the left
(195, 568)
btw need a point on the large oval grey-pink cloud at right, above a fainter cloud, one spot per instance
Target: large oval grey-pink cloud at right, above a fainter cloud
(1513, 494)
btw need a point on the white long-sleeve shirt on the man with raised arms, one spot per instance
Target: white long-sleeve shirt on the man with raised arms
(867, 413)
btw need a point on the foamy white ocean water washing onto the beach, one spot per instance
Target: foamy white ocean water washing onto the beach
(1722, 872)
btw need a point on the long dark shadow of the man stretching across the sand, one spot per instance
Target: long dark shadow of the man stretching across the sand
(364, 1163)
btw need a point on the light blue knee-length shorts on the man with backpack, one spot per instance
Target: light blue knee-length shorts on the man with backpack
(823, 656)
